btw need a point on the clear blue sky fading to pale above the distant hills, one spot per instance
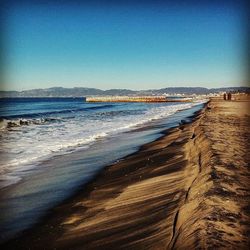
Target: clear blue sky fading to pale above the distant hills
(129, 45)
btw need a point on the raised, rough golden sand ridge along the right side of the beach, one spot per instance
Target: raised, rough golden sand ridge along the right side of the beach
(219, 196)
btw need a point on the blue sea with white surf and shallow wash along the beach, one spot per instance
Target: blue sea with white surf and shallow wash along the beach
(50, 147)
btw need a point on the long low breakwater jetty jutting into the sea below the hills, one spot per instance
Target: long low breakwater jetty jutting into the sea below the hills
(133, 99)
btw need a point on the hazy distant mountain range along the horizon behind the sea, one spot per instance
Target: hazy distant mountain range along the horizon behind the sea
(83, 92)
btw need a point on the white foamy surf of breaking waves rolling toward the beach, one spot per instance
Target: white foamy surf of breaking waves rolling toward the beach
(27, 145)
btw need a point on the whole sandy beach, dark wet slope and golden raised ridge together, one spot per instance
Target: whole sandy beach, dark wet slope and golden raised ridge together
(187, 190)
